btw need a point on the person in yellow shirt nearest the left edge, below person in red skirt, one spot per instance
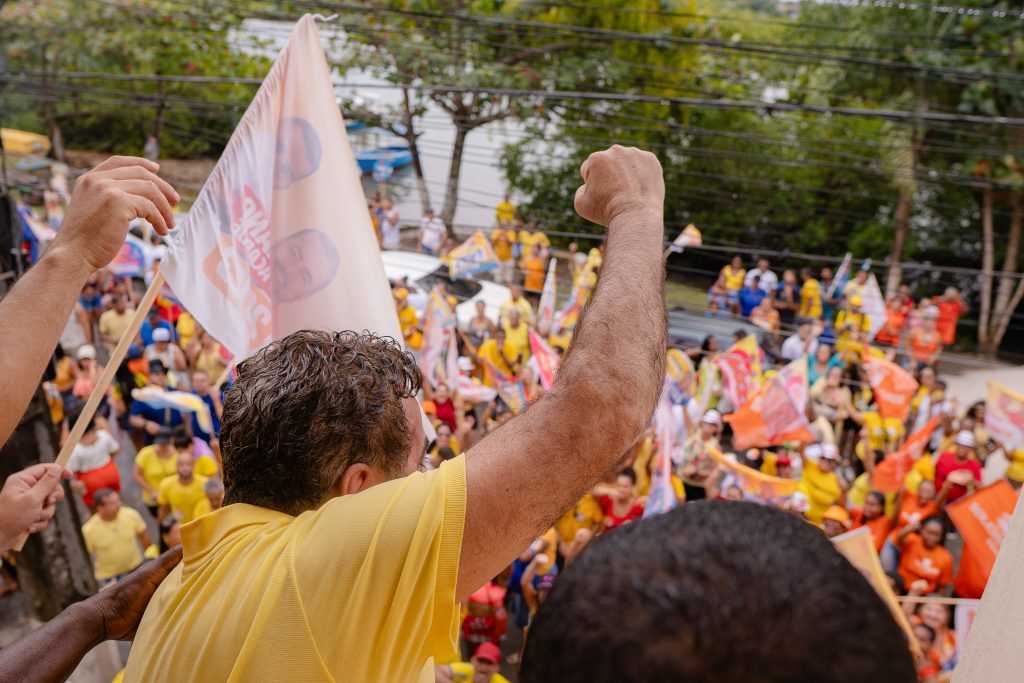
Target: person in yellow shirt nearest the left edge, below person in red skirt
(115, 536)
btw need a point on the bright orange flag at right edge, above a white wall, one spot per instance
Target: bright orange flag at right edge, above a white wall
(983, 520)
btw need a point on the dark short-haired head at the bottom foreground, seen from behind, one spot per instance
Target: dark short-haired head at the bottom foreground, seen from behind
(722, 592)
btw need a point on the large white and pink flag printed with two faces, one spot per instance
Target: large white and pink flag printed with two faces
(279, 239)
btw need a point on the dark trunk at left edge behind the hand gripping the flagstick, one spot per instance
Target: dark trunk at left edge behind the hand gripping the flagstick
(54, 569)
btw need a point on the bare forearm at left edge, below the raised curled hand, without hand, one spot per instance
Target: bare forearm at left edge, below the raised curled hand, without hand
(32, 317)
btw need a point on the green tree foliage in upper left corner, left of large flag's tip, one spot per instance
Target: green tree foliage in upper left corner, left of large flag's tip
(42, 41)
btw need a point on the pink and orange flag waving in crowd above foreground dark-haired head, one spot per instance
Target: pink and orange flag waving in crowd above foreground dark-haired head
(777, 412)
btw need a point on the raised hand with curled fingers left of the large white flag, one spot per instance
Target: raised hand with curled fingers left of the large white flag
(104, 203)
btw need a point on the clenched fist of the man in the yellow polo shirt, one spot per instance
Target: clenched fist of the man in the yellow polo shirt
(619, 182)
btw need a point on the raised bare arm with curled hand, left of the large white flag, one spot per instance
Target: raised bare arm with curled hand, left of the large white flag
(35, 312)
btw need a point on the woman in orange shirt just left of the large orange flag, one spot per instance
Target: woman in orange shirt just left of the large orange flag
(925, 566)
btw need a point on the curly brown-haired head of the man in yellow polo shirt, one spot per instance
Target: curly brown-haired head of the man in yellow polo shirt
(306, 408)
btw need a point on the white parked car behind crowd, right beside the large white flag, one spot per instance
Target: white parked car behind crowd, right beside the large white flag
(423, 272)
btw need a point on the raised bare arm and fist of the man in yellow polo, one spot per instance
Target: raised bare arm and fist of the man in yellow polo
(607, 389)
